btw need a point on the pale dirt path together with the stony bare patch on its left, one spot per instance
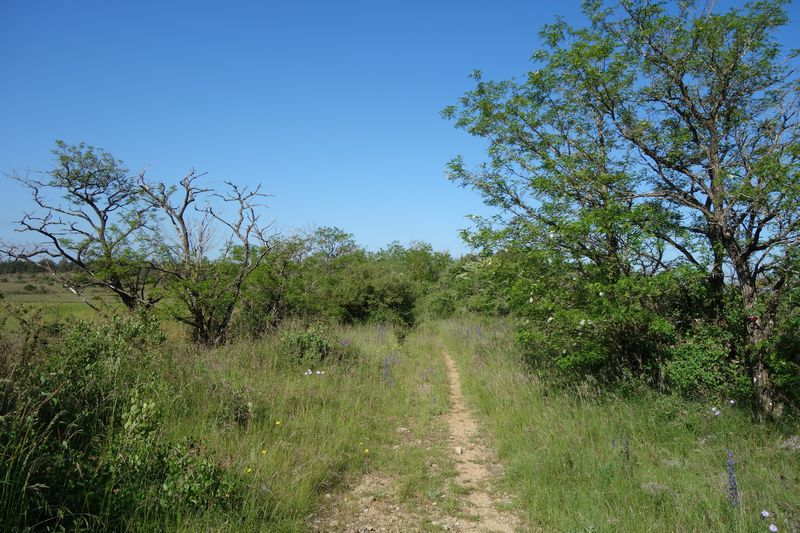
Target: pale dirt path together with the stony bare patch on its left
(373, 504)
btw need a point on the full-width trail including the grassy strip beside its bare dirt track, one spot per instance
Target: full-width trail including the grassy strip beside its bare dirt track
(437, 474)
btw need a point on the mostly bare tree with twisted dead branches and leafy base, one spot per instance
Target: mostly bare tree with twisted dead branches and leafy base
(207, 289)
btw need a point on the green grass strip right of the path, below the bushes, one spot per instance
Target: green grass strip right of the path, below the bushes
(578, 460)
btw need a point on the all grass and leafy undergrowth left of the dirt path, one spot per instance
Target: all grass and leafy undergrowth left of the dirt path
(245, 437)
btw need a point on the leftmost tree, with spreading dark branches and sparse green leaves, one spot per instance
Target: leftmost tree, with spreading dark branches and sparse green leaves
(92, 226)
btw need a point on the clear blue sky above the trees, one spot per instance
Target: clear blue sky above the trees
(332, 105)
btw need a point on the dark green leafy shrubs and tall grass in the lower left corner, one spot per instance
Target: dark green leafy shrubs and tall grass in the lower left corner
(81, 441)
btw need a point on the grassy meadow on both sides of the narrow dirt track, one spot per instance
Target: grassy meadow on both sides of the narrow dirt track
(285, 433)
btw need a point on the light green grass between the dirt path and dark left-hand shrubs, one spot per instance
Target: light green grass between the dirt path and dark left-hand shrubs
(304, 436)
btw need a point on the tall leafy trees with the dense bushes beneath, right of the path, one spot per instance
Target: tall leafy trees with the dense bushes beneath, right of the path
(633, 215)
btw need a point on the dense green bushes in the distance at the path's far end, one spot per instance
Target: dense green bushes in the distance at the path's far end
(339, 282)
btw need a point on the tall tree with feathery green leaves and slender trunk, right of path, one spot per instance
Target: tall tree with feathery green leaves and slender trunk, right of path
(656, 133)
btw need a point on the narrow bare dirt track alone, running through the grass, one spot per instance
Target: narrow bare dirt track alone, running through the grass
(473, 461)
